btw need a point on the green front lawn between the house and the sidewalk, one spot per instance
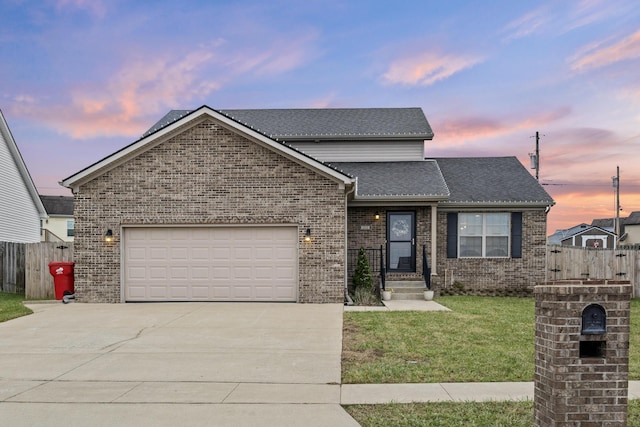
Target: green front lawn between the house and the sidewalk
(482, 339)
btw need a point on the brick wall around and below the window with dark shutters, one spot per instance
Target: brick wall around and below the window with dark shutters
(494, 276)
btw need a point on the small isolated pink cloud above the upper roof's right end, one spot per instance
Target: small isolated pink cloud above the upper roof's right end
(427, 68)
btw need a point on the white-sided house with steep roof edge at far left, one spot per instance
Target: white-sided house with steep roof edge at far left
(20, 207)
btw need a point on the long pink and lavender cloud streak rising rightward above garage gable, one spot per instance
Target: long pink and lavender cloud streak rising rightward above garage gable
(144, 88)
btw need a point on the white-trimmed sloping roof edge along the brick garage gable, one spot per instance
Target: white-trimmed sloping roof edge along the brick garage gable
(187, 121)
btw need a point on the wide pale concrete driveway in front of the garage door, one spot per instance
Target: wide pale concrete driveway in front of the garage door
(235, 364)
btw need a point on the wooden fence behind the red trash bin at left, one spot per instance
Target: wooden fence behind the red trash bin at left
(24, 267)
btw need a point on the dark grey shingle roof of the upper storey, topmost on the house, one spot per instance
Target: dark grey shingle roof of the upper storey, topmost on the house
(326, 123)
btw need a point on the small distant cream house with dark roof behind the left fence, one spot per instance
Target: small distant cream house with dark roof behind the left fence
(60, 225)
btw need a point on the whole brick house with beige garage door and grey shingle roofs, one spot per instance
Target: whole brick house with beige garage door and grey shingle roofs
(264, 205)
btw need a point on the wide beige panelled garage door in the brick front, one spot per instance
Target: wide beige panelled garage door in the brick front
(210, 264)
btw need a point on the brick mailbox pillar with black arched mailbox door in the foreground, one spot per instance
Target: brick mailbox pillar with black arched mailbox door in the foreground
(582, 353)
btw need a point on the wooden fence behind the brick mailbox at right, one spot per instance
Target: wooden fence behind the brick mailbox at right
(568, 262)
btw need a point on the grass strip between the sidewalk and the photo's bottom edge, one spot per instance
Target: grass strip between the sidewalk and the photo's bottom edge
(454, 414)
